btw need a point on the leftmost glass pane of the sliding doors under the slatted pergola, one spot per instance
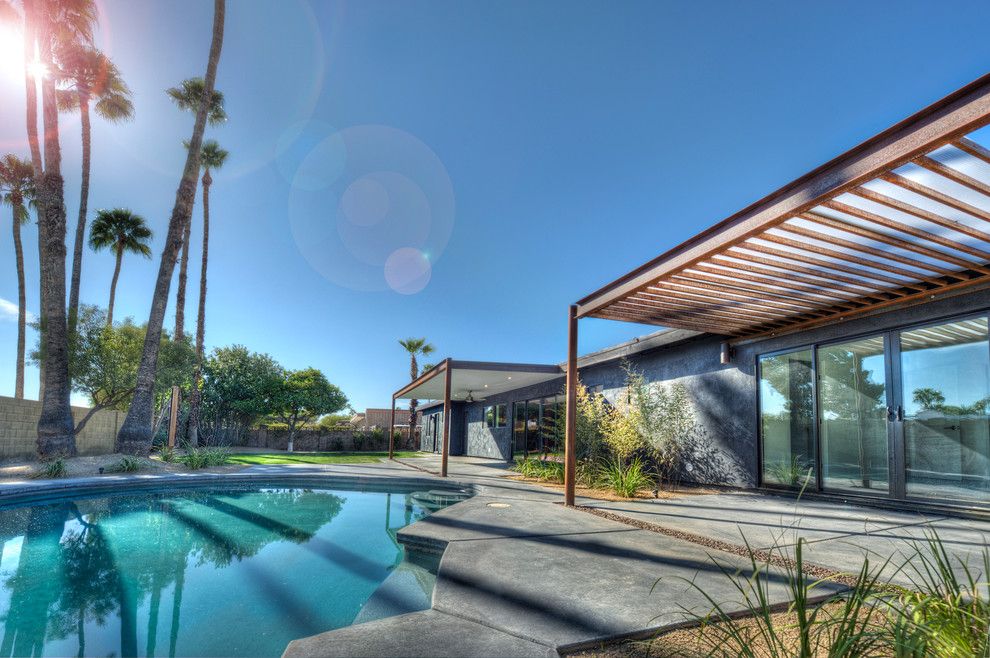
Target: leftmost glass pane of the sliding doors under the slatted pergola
(787, 418)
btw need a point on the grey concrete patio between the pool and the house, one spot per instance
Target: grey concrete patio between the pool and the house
(523, 575)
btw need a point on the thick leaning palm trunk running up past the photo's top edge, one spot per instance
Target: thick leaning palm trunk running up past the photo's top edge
(134, 436)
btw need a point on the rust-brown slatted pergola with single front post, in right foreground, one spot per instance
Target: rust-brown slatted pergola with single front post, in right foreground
(901, 219)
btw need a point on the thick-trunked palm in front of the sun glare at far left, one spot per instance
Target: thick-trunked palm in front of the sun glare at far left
(50, 23)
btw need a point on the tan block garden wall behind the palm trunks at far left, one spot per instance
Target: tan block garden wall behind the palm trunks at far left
(19, 429)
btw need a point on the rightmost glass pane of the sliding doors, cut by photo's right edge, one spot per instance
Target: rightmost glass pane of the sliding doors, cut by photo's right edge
(945, 375)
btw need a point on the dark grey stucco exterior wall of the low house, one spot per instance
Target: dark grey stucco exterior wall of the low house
(724, 396)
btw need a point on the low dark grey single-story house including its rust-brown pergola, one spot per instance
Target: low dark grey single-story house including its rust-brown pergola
(837, 329)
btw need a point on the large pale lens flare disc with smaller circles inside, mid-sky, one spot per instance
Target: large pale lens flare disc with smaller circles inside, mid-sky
(366, 206)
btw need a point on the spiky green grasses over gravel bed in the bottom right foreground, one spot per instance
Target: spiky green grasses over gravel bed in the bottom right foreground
(943, 613)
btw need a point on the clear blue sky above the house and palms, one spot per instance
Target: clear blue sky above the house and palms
(529, 151)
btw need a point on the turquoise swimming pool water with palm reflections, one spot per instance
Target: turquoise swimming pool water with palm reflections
(203, 572)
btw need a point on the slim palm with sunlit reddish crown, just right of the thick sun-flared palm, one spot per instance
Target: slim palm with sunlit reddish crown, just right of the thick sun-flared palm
(85, 74)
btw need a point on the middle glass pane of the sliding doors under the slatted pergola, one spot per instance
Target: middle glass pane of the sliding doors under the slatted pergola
(852, 404)
